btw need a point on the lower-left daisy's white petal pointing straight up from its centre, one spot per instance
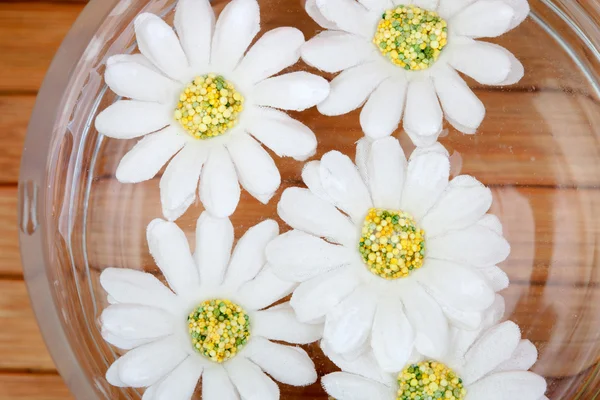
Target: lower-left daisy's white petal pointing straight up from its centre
(214, 240)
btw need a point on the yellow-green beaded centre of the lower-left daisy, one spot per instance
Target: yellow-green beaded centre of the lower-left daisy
(219, 329)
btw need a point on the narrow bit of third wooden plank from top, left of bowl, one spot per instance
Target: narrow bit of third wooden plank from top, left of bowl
(10, 259)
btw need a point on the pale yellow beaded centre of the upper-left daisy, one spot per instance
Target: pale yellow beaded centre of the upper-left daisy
(209, 106)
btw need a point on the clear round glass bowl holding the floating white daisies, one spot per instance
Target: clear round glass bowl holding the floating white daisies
(538, 149)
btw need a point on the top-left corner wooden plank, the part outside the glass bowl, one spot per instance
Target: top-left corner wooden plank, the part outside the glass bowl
(30, 34)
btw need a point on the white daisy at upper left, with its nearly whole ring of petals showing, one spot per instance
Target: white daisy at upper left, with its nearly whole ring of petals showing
(200, 101)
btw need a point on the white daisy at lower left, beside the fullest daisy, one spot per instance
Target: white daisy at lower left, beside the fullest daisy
(214, 323)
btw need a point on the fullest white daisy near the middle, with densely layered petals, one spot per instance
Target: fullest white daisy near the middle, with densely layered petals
(388, 254)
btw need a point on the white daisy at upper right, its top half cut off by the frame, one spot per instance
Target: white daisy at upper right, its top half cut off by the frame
(401, 57)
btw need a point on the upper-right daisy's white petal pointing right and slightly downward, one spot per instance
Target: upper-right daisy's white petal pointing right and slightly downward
(487, 63)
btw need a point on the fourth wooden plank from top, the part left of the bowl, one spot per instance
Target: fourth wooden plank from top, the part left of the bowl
(21, 344)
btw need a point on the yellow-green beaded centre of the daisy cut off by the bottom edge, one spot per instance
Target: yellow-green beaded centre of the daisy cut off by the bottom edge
(429, 380)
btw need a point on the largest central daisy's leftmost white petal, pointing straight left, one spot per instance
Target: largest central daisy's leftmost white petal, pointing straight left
(298, 256)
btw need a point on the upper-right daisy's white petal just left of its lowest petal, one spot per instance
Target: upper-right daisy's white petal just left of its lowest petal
(382, 113)
